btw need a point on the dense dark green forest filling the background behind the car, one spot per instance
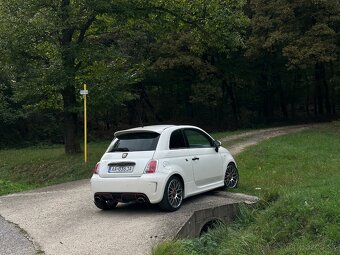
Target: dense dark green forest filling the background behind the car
(218, 64)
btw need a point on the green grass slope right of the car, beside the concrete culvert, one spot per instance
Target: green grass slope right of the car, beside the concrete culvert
(297, 177)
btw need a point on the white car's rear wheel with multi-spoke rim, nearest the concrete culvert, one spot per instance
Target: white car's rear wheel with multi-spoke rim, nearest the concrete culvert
(173, 195)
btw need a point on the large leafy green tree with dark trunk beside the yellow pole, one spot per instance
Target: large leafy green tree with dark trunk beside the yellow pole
(56, 46)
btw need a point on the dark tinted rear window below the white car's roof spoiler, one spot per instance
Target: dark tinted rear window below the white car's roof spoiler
(139, 141)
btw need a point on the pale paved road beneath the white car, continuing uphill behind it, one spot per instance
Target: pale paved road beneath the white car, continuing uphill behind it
(62, 219)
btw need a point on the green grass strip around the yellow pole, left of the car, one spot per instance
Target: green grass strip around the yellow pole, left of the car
(33, 167)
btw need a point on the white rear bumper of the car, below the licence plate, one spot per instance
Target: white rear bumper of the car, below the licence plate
(151, 185)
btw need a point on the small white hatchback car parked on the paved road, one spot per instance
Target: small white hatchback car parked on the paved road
(162, 165)
